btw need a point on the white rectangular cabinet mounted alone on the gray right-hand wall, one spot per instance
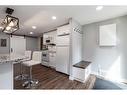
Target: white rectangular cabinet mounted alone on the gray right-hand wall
(107, 35)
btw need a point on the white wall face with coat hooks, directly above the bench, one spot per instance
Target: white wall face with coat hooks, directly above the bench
(76, 42)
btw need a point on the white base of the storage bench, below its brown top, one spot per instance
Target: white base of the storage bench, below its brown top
(81, 74)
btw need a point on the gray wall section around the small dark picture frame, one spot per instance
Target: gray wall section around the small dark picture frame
(4, 50)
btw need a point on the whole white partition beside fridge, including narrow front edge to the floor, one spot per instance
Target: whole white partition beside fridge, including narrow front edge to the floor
(75, 44)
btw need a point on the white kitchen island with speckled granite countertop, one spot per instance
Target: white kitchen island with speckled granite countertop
(6, 69)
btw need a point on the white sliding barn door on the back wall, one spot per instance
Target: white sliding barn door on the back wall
(17, 45)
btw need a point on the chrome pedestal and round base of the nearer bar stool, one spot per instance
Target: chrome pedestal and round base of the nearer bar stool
(30, 83)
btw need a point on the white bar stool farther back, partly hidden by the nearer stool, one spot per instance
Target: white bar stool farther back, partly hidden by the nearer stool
(22, 76)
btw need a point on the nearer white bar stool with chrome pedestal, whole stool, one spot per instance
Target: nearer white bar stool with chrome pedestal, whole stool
(36, 59)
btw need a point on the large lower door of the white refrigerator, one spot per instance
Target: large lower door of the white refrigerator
(62, 60)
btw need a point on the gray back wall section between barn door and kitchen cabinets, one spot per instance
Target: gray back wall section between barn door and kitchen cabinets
(32, 43)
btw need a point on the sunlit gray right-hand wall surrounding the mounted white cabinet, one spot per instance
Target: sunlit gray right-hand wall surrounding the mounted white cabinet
(106, 58)
